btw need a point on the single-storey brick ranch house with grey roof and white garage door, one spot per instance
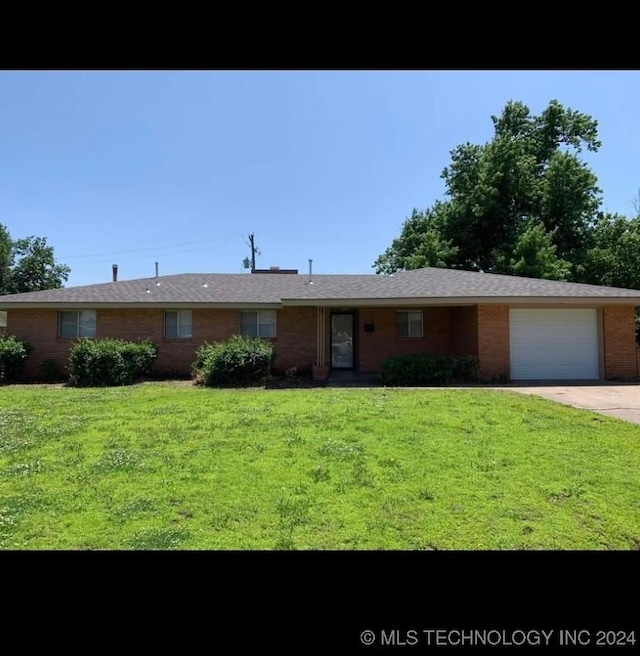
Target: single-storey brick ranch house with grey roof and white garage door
(520, 328)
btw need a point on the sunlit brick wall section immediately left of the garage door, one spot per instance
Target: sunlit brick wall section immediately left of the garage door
(493, 342)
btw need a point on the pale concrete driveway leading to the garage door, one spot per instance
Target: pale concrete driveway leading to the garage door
(614, 399)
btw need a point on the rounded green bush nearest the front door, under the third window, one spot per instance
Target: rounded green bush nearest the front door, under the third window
(238, 362)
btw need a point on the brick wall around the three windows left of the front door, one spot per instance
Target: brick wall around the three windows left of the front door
(295, 343)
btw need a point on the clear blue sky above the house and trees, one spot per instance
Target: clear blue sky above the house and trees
(134, 167)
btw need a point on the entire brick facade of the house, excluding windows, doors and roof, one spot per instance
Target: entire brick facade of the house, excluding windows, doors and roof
(481, 330)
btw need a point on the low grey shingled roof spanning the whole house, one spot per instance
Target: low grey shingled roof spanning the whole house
(421, 286)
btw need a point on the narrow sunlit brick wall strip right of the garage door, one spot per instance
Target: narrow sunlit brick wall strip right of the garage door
(619, 340)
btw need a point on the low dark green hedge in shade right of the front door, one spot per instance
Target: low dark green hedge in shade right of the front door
(427, 369)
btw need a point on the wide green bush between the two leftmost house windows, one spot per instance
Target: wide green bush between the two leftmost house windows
(108, 362)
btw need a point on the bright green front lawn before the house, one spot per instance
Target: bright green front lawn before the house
(171, 466)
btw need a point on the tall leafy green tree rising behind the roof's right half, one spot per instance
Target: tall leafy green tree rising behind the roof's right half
(527, 189)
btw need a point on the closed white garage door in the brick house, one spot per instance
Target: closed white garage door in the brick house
(554, 344)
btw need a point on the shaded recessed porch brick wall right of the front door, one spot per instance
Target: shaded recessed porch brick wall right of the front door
(377, 346)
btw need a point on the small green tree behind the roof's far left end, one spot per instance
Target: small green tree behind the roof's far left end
(28, 265)
